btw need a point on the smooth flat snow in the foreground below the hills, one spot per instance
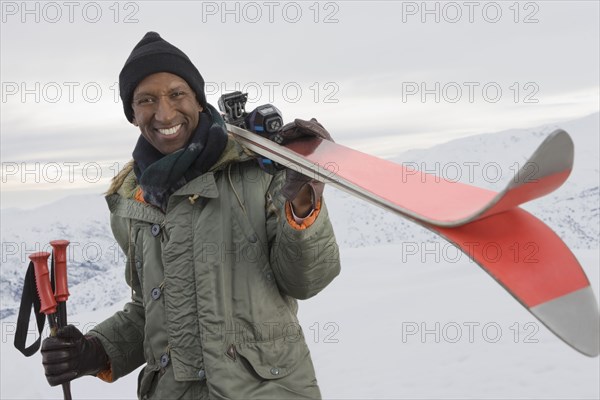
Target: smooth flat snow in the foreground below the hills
(388, 330)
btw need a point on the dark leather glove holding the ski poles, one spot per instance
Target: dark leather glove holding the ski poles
(70, 354)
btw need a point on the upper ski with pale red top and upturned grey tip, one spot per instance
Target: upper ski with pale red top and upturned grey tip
(420, 196)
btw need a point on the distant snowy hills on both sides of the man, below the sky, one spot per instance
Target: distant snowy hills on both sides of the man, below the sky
(487, 160)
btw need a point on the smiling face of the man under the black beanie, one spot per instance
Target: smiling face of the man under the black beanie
(166, 110)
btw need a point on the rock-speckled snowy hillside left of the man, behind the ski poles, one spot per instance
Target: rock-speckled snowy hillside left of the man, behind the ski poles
(94, 258)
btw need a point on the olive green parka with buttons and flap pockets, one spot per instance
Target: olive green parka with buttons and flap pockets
(214, 286)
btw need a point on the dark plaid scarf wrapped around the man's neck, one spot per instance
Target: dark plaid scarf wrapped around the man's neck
(160, 175)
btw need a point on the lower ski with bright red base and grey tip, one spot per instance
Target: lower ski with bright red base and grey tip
(537, 268)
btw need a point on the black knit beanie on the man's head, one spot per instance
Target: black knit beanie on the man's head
(151, 55)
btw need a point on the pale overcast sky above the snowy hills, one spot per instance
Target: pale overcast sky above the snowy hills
(381, 76)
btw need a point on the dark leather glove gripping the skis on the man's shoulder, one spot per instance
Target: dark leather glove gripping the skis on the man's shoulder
(294, 179)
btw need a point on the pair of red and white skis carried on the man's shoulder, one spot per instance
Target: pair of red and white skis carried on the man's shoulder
(518, 250)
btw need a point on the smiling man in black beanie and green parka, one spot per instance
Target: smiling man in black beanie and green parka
(217, 251)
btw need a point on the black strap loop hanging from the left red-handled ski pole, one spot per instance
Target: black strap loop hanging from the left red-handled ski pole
(29, 298)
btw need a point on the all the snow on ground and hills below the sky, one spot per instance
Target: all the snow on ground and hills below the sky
(409, 317)
